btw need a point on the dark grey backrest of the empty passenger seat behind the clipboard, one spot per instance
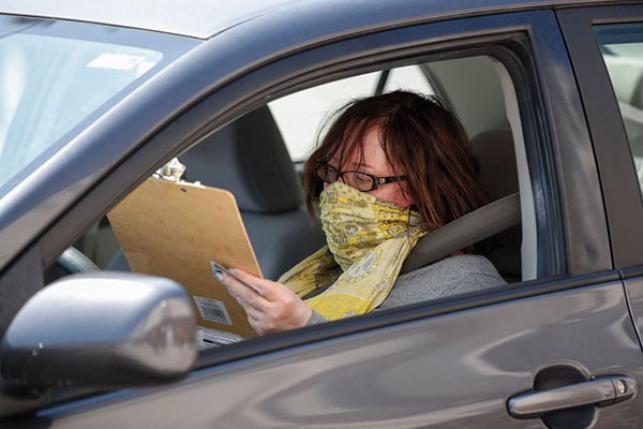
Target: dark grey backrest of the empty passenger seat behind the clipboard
(249, 158)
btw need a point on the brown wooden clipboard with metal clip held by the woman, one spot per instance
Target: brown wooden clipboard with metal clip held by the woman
(174, 229)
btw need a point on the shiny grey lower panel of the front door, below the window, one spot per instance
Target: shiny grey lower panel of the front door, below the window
(455, 370)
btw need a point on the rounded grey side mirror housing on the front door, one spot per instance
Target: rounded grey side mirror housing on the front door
(103, 330)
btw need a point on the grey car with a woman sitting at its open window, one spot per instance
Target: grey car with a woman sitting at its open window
(96, 99)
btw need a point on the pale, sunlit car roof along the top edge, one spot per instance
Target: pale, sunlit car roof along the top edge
(205, 18)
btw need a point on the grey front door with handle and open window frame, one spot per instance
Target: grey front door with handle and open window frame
(491, 359)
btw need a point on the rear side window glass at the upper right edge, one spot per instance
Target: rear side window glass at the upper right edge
(622, 49)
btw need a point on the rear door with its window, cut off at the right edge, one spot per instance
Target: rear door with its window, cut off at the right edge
(608, 41)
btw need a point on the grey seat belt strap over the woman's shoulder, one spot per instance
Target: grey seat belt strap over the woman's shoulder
(465, 231)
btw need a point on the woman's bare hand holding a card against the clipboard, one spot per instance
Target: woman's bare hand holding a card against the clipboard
(272, 308)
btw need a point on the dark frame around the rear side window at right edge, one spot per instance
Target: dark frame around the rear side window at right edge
(619, 182)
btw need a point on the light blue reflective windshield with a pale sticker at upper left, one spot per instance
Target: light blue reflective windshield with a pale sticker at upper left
(56, 77)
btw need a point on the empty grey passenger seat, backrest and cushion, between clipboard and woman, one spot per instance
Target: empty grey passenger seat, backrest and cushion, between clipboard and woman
(249, 158)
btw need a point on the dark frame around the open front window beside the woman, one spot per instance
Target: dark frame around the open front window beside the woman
(253, 89)
